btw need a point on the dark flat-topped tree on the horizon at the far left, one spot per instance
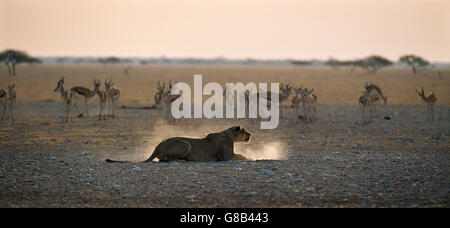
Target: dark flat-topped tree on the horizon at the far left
(13, 57)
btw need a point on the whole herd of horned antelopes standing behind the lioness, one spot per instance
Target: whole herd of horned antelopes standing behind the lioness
(303, 101)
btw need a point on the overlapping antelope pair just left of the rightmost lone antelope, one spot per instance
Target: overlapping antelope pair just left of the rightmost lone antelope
(371, 95)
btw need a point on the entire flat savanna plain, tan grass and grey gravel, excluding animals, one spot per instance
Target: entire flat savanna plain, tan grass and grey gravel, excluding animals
(334, 161)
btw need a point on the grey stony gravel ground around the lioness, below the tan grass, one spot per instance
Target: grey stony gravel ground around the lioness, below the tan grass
(332, 162)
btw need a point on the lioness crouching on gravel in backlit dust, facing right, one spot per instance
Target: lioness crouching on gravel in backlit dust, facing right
(214, 147)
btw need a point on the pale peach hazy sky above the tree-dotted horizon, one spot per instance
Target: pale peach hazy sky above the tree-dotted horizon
(266, 29)
